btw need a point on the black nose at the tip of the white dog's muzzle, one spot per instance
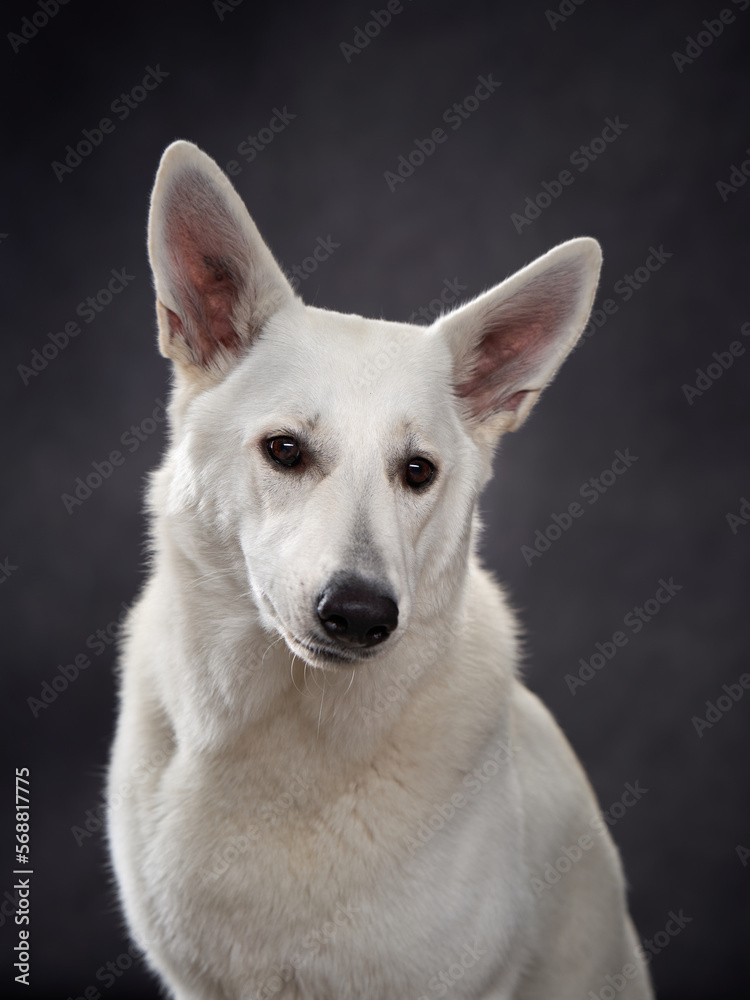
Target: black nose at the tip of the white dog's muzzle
(356, 613)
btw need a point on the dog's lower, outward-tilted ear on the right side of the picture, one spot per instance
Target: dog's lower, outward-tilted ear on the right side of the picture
(508, 343)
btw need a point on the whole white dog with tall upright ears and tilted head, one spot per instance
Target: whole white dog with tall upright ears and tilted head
(328, 781)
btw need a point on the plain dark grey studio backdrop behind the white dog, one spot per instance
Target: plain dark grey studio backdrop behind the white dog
(324, 175)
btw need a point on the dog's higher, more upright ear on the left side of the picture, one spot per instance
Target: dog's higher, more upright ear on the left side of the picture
(217, 282)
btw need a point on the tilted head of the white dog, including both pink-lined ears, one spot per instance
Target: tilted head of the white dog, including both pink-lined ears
(329, 462)
